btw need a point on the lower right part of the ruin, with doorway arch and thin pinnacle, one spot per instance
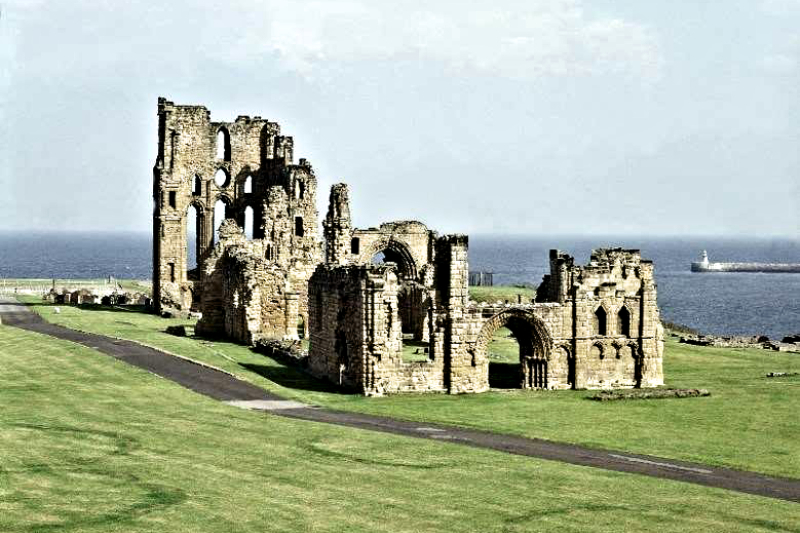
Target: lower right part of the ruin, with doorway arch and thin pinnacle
(593, 326)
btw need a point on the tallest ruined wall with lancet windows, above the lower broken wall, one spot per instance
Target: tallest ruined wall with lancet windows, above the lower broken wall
(244, 164)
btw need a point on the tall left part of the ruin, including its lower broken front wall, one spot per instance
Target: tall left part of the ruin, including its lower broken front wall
(246, 164)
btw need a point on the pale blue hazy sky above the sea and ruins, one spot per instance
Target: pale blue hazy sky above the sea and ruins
(528, 117)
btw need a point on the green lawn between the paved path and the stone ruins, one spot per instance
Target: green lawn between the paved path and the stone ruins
(750, 421)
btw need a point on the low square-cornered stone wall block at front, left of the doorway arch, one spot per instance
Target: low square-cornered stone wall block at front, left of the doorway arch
(356, 331)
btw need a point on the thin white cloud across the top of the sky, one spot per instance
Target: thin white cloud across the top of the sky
(537, 38)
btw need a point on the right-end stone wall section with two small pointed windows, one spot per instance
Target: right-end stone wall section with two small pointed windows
(610, 317)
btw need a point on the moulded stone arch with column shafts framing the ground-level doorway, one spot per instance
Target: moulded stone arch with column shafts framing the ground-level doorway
(530, 371)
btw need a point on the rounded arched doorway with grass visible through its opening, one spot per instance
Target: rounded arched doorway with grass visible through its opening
(515, 345)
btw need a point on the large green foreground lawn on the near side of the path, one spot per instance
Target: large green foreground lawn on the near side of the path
(90, 444)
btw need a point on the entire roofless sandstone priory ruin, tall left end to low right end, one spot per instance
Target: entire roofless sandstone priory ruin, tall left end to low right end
(265, 275)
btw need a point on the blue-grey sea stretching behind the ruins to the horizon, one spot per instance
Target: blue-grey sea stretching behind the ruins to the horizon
(726, 303)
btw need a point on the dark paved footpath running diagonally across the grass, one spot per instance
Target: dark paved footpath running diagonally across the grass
(225, 387)
